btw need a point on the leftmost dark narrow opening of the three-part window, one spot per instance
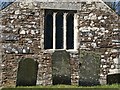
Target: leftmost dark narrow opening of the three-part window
(48, 32)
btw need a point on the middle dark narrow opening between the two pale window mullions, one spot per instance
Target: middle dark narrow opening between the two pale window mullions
(59, 31)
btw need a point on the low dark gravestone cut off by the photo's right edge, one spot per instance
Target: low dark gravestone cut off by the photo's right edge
(113, 78)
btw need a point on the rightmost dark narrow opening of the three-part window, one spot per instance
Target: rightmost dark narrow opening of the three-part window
(70, 31)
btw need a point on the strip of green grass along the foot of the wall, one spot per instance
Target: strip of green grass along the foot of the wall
(68, 87)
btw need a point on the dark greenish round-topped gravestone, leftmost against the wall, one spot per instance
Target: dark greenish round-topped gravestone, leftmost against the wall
(27, 72)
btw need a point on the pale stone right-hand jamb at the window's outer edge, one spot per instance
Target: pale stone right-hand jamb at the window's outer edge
(75, 31)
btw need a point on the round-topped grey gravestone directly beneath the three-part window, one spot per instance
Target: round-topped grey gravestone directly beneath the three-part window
(61, 73)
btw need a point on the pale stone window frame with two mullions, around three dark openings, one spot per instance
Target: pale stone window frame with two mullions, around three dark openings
(75, 29)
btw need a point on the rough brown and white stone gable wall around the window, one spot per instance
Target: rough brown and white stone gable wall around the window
(22, 36)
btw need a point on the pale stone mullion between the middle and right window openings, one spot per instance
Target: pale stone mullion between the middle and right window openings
(65, 30)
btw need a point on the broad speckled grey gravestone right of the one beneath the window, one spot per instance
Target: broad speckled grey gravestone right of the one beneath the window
(89, 69)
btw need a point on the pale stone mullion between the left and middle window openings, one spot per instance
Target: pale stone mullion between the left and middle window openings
(54, 30)
